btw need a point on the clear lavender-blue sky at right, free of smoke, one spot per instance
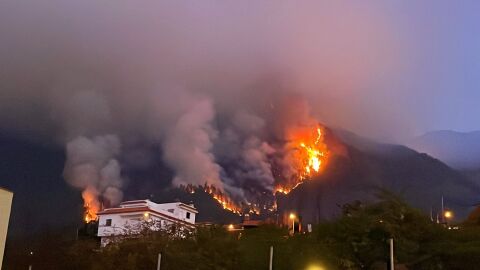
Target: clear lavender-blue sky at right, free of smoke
(443, 39)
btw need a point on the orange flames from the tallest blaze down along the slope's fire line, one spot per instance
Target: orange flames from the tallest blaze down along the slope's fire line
(300, 157)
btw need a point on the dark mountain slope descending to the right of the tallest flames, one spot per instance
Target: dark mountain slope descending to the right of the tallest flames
(368, 166)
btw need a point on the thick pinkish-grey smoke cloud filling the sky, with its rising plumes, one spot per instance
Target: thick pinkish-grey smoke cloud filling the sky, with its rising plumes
(199, 78)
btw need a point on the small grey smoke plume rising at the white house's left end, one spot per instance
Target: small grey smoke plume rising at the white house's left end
(92, 166)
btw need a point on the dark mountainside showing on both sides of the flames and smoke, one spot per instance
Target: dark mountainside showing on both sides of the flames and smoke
(33, 171)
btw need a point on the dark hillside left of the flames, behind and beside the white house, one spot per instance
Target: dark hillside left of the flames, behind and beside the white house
(43, 201)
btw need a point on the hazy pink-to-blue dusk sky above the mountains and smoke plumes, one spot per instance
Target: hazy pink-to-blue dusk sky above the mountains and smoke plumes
(385, 70)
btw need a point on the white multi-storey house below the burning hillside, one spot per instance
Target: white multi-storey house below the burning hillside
(132, 215)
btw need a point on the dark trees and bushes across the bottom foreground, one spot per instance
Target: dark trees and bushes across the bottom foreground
(356, 240)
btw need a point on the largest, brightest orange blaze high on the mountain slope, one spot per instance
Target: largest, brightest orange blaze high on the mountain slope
(307, 154)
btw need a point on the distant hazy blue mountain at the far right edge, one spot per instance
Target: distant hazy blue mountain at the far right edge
(457, 149)
